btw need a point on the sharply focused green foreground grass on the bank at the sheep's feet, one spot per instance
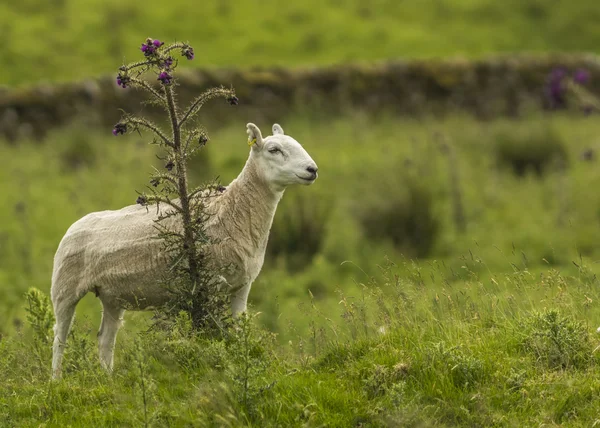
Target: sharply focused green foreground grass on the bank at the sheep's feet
(476, 353)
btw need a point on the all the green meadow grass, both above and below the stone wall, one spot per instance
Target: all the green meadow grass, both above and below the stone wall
(442, 270)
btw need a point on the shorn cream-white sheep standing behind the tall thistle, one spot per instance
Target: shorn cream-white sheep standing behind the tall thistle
(115, 254)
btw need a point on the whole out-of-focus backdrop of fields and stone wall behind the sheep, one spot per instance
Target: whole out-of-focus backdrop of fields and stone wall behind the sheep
(452, 135)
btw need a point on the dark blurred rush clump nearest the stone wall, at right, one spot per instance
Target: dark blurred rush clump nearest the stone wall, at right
(534, 149)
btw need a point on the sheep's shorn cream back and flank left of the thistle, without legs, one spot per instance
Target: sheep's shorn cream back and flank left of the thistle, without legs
(116, 254)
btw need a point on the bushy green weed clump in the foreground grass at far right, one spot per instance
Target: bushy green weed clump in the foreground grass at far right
(556, 341)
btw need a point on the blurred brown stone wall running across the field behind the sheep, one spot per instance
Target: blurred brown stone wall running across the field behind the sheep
(508, 85)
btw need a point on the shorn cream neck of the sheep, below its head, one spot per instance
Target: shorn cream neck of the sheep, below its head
(250, 210)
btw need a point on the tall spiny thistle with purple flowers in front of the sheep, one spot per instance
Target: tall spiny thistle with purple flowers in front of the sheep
(190, 276)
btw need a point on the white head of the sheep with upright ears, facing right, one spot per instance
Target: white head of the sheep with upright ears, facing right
(281, 160)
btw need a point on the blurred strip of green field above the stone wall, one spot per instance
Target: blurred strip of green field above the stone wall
(61, 40)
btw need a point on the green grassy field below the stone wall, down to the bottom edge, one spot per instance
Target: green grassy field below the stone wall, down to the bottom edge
(439, 272)
